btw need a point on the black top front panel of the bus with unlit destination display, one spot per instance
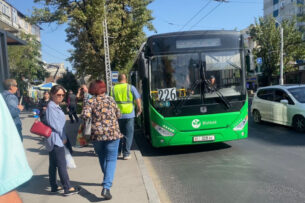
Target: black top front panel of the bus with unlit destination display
(190, 41)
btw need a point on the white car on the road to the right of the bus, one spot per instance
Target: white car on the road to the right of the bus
(281, 104)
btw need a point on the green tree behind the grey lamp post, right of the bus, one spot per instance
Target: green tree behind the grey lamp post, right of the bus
(266, 34)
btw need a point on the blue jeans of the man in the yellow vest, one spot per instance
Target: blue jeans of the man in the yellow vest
(127, 129)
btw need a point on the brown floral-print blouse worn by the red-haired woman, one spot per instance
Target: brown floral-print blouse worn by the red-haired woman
(104, 113)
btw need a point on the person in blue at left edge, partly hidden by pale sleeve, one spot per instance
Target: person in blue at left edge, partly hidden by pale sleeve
(10, 89)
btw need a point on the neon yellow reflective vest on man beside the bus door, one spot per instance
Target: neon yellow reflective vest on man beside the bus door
(123, 97)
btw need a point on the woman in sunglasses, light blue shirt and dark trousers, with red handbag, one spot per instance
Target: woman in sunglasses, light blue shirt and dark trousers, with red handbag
(56, 119)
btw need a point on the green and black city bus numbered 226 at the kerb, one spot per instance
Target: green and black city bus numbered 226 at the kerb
(193, 86)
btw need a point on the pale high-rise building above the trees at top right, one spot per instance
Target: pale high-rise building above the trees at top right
(283, 9)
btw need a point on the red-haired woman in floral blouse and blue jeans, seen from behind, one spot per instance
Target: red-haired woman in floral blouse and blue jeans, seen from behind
(105, 132)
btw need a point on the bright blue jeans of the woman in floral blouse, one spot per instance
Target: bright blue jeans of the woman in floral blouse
(107, 152)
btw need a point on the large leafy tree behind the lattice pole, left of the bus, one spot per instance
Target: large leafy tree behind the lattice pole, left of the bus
(126, 20)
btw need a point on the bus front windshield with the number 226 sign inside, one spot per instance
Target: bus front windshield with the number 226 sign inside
(180, 76)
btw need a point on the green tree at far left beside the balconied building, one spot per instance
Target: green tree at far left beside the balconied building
(25, 62)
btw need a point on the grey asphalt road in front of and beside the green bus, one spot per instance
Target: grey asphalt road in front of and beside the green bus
(268, 166)
